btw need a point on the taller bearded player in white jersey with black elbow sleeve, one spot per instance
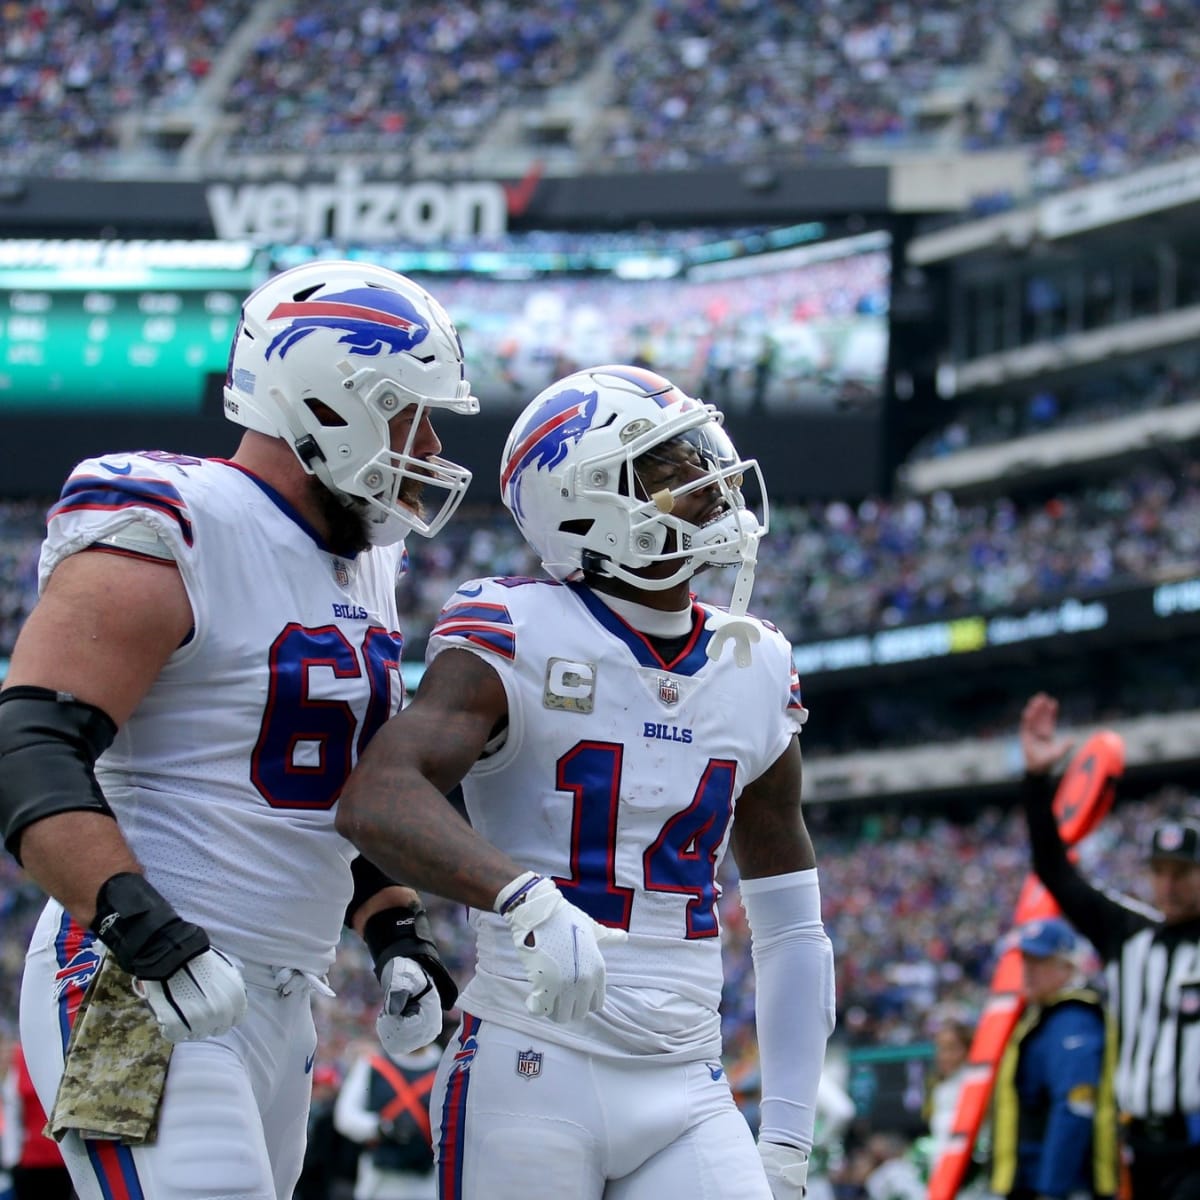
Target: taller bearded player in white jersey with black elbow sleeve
(214, 645)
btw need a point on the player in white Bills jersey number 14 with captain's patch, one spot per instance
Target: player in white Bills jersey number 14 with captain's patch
(613, 746)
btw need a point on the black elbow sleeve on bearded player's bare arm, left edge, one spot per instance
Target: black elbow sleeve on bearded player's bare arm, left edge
(50, 743)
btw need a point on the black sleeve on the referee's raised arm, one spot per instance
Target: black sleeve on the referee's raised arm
(1102, 920)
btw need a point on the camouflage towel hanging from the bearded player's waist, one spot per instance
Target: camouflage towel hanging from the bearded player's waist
(116, 1067)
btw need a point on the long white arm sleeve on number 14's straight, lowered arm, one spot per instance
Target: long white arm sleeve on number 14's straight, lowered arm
(795, 1000)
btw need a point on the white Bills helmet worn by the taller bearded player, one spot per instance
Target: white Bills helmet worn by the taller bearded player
(326, 356)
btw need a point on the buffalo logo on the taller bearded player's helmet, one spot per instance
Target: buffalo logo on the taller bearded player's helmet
(373, 321)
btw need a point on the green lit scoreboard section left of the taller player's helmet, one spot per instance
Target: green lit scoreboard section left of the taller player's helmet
(119, 333)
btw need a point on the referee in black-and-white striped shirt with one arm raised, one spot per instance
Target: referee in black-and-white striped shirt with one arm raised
(1153, 961)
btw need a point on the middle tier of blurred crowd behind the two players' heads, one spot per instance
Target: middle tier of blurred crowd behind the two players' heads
(830, 568)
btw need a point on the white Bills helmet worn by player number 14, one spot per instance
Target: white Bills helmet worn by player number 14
(569, 477)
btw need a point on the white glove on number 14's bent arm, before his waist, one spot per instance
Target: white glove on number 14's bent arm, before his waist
(559, 946)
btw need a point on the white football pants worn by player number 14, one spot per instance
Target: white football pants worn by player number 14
(517, 1118)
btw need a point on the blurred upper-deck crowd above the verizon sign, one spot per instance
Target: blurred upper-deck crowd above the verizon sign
(1091, 91)
